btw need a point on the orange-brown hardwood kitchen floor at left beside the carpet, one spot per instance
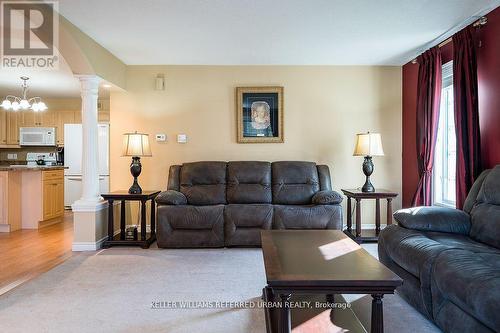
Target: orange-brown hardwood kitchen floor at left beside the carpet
(24, 254)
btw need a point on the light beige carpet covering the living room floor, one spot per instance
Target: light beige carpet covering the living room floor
(113, 291)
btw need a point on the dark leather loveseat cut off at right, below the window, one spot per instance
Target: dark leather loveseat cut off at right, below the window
(450, 259)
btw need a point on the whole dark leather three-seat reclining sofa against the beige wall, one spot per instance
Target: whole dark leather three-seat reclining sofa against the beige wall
(216, 204)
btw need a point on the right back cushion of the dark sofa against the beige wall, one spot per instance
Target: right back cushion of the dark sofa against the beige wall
(294, 183)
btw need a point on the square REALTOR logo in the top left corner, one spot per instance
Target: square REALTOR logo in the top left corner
(30, 35)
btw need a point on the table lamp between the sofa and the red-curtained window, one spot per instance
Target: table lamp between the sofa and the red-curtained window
(368, 145)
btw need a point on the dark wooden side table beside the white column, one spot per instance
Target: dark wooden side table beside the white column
(144, 239)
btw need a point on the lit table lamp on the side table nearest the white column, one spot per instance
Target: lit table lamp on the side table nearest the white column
(136, 145)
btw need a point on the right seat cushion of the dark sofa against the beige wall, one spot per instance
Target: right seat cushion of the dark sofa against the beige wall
(307, 217)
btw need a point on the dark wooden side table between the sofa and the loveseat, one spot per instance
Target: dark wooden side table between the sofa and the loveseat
(367, 235)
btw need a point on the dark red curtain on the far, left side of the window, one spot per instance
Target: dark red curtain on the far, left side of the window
(428, 100)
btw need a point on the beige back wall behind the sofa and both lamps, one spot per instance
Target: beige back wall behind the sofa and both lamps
(325, 106)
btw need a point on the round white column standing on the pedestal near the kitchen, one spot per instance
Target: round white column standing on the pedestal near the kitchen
(90, 164)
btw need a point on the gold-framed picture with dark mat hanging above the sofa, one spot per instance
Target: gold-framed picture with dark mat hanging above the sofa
(259, 113)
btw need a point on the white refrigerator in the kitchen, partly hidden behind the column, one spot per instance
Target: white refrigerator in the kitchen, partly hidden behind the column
(73, 161)
